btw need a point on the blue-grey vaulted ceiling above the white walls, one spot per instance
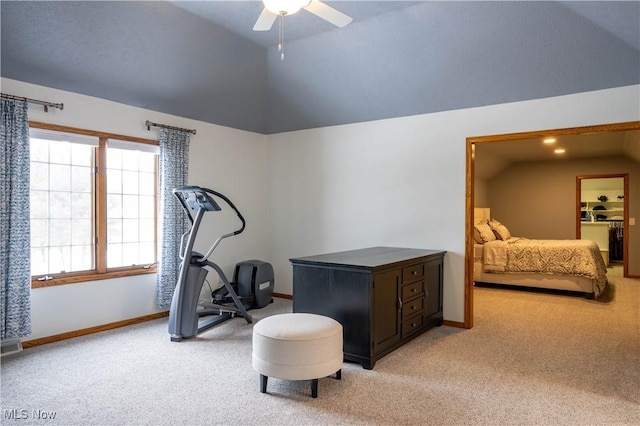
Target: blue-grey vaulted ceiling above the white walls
(202, 60)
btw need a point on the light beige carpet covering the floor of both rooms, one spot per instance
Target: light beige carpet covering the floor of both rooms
(532, 358)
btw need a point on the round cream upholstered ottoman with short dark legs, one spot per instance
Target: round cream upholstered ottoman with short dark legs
(297, 346)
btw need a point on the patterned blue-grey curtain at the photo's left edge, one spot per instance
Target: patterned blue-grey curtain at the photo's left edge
(15, 239)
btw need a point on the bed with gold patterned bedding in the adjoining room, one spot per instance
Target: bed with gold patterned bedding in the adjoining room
(571, 265)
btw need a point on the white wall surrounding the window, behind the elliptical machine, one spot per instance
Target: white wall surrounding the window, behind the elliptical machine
(228, 160)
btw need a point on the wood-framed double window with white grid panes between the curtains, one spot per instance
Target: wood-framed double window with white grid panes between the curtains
(93, 205)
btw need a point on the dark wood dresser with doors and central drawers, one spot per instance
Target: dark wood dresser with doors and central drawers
(382, 296)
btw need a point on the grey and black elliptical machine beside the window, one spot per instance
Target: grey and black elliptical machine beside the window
(252, 285)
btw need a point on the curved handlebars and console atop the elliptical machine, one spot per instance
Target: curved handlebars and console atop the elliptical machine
(195, 198)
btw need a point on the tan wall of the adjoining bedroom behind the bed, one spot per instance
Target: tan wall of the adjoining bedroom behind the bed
(537, 199)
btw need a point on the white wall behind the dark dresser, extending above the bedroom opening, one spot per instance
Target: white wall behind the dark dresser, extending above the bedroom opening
(401, 182)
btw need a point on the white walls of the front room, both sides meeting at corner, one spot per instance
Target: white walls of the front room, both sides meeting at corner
(397, 182)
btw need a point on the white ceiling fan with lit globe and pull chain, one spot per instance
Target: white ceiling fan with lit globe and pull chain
(274, 9)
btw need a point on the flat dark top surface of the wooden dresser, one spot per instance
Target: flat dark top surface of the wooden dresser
(368, 257)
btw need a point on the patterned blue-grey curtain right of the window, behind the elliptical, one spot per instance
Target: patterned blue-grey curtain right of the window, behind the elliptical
(174, 168)
